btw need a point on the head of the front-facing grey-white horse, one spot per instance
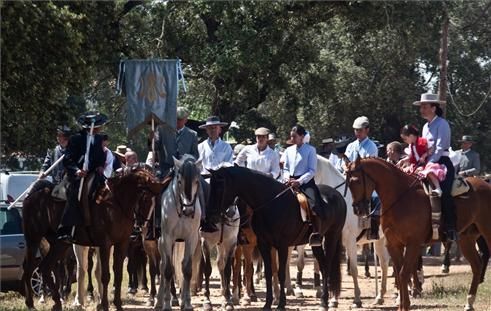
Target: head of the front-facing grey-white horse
(187, 177)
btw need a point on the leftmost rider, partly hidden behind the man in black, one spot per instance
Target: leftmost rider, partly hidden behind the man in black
(62, 137)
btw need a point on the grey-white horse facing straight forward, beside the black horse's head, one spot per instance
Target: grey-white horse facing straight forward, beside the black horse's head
(181, 214)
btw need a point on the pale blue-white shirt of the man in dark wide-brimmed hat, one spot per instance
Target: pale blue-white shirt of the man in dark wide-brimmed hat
(213, 156)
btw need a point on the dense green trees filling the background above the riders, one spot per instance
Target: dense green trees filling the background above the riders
(257, 63)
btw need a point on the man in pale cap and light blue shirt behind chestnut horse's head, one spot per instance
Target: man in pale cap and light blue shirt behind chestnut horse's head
(365, 147)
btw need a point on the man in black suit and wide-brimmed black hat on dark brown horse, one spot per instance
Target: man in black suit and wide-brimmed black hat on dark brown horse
(74, 163)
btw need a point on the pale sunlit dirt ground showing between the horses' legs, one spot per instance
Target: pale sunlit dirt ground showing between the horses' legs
(434, 280)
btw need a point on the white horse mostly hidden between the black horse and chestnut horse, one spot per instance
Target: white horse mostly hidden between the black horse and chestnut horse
(327, 174)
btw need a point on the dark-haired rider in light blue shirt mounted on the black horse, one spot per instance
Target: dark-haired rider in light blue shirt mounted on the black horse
(300, 166)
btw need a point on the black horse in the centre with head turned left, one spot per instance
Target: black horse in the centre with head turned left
(278, 223)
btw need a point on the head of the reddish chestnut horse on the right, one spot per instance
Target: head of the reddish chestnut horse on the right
(361, 186)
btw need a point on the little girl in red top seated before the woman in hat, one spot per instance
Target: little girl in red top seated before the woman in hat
(417, 159)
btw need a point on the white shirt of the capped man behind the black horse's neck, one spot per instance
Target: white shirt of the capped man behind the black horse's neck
(266, 161)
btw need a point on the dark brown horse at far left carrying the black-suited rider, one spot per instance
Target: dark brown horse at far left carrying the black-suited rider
(117, 211)
